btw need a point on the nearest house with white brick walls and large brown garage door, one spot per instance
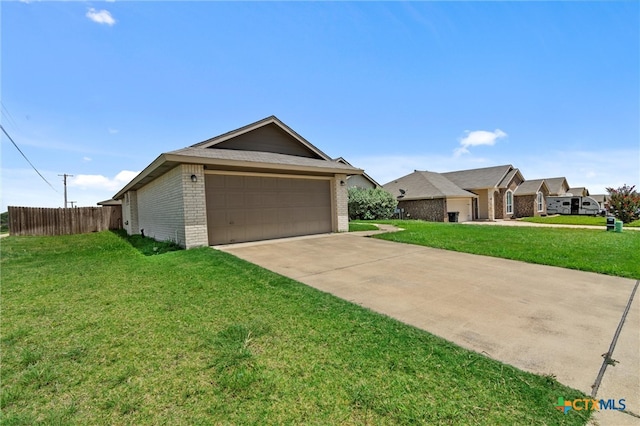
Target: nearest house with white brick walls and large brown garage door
(259, 182)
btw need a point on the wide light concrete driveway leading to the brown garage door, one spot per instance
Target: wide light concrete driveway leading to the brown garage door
(541, 319)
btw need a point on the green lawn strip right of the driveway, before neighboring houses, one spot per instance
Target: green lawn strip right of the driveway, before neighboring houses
(608, 253)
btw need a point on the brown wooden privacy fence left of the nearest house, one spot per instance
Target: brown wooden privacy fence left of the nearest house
(78, 220)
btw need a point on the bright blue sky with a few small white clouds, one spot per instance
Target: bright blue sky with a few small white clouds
(99, 89)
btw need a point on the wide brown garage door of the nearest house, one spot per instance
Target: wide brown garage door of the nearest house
(252, 208)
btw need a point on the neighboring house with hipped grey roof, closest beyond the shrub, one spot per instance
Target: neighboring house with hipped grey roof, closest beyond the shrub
(431, 196)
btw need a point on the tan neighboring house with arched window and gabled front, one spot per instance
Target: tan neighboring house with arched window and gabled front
(494, 187)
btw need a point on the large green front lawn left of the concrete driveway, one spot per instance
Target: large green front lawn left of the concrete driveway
(94, 332)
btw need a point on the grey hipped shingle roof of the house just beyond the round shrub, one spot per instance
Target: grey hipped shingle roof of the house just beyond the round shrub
(425, 185)
